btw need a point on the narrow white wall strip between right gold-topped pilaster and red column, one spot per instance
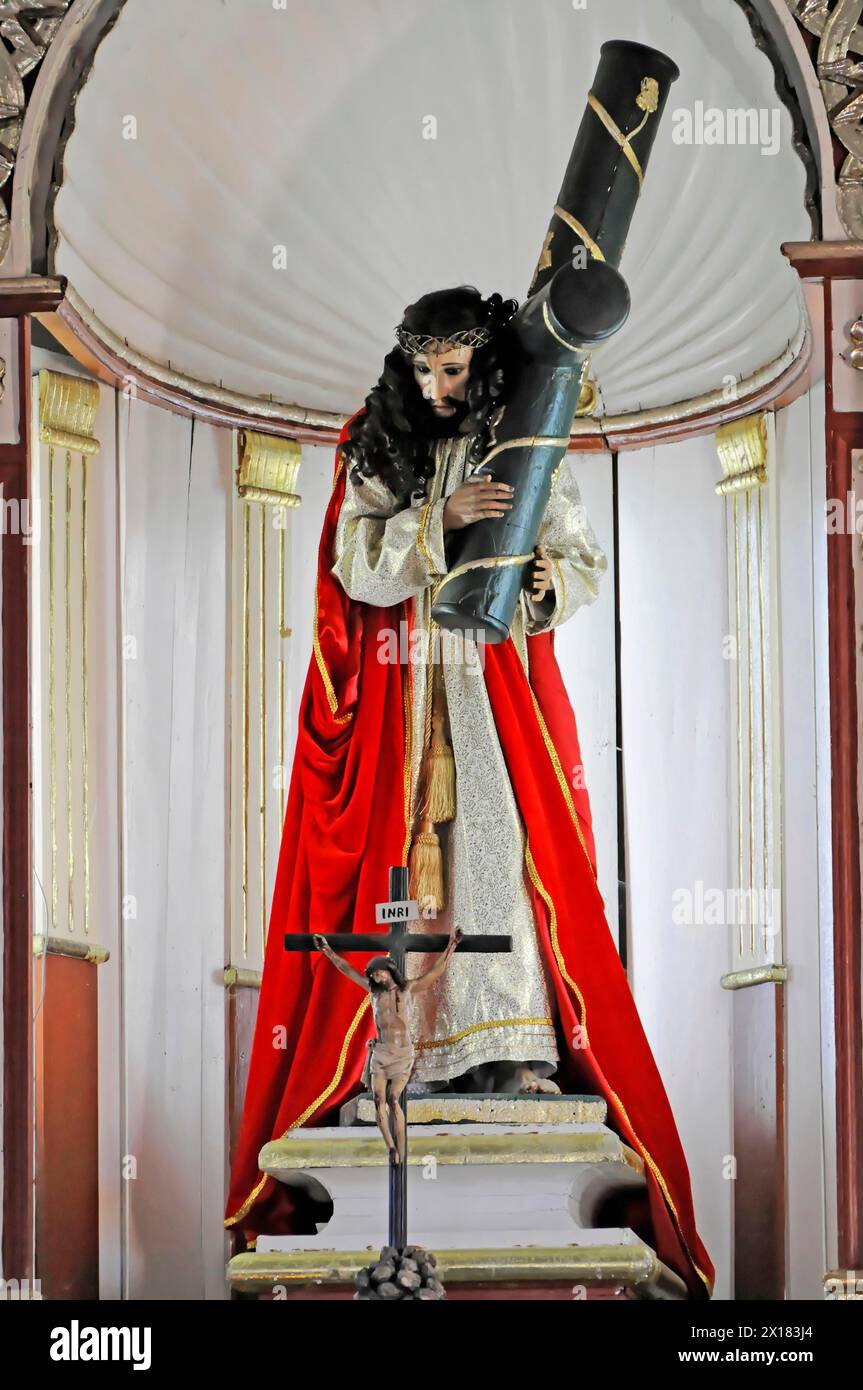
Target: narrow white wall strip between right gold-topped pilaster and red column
(808, 861)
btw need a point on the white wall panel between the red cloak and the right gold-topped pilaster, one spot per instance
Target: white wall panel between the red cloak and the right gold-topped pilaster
(676, 730)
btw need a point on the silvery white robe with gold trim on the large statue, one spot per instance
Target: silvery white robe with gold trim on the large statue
(486, 1008)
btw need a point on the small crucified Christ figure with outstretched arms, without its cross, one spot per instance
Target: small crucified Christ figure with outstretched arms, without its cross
(393, 1050)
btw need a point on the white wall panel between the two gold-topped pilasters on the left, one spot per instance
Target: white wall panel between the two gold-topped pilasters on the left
(174, 516)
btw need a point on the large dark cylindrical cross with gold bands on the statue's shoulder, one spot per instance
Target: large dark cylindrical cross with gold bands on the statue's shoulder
(577, 301)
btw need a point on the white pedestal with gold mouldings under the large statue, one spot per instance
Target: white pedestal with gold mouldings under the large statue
(508, 1193)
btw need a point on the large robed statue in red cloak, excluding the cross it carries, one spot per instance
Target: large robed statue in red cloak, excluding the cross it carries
(461, 761)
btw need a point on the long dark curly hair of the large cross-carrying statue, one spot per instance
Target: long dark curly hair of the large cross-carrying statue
(393, 439)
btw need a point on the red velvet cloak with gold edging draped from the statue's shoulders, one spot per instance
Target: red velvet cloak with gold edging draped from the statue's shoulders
(348, 821)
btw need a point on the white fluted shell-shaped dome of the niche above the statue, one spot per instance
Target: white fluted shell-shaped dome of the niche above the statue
(259, 127)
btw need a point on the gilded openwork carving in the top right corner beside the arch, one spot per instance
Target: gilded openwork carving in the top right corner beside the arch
(840, 69)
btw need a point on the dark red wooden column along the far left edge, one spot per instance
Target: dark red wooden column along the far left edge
(17, 865)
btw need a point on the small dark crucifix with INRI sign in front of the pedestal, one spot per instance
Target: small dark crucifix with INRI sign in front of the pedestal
(393, 1052)
